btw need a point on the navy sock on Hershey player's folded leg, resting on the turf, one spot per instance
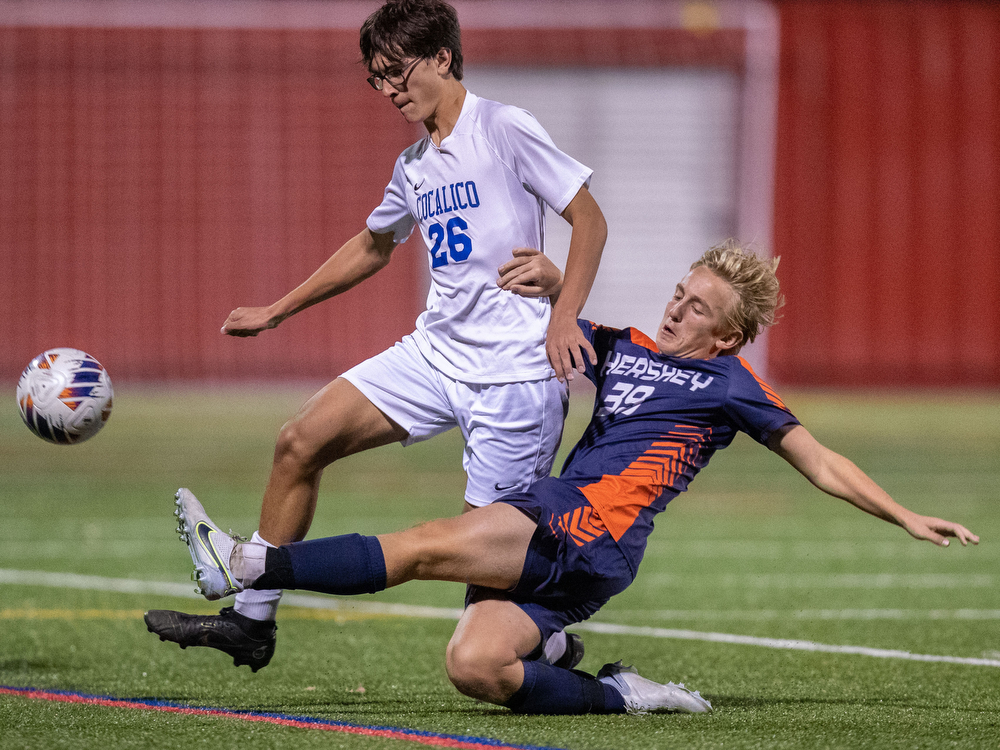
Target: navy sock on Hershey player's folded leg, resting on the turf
(551, 690)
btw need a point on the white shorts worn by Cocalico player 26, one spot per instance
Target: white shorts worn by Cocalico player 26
(511, 430)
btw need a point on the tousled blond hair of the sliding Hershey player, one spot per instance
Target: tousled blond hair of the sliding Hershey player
(753, 279)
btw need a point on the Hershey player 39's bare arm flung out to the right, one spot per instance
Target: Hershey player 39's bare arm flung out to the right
(837, 476)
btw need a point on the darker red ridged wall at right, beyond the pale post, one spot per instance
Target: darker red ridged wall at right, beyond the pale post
(887, 205)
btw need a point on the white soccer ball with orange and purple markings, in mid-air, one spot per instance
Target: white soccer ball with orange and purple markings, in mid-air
(64, 396)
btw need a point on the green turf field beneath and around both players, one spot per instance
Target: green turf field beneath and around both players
(750, 549)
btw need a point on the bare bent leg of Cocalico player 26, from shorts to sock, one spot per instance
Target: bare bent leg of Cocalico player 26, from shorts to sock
(336, 422)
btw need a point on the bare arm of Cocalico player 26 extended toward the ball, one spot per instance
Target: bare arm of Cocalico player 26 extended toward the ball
(359, 257)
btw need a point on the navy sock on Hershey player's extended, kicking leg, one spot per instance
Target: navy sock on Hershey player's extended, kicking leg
(349, 564)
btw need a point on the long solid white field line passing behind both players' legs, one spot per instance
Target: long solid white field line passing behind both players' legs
(131, 586)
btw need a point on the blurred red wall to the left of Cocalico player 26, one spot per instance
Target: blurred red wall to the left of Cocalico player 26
(151, 180)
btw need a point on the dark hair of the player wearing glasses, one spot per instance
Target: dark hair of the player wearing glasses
(412, 28)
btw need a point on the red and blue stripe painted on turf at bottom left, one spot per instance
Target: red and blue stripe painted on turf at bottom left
(436, 739)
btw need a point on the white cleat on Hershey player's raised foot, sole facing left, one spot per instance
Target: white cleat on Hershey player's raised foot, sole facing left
(210, 548)
